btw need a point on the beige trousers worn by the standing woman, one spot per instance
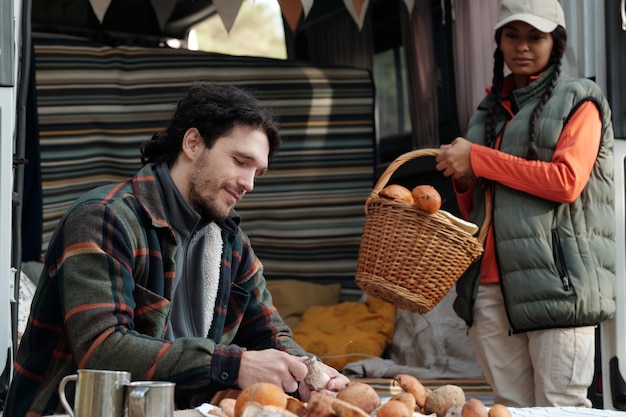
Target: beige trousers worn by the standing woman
(540, 368)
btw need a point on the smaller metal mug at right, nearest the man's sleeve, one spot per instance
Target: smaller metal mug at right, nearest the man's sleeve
(150, 399)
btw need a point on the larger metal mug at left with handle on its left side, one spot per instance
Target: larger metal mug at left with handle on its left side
(99, 393)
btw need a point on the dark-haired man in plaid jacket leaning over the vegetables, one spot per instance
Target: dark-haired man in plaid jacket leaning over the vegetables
(154, 275)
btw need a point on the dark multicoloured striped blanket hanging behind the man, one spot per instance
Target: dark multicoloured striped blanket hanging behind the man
(97, 103)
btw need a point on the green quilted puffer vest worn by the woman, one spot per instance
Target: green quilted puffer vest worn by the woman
(556, 261)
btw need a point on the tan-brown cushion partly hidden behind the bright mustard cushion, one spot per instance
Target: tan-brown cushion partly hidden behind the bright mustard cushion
(292, 297)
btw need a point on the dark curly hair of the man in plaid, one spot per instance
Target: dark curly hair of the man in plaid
(213, 109)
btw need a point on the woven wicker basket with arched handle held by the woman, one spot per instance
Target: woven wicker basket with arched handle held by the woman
(409, 257)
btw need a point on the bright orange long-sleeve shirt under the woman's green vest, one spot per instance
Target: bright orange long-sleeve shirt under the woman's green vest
(560, 180)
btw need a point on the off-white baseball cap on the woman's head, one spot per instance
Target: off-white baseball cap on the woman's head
(544, 15)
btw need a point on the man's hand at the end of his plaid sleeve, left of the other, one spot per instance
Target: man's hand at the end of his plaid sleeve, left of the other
(271, 365)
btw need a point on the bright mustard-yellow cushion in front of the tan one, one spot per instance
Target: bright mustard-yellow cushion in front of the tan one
(356, 330)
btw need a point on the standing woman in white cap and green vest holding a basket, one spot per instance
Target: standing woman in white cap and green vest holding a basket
(539, 148)
